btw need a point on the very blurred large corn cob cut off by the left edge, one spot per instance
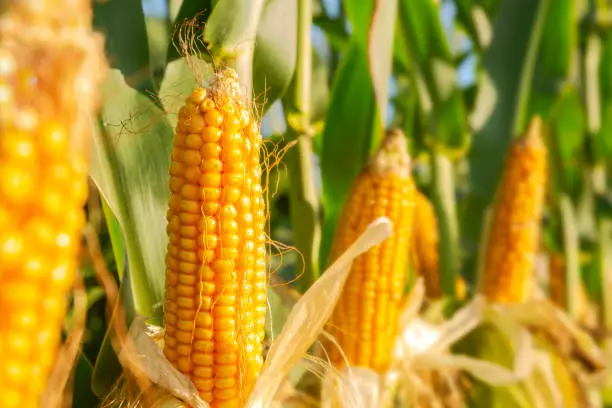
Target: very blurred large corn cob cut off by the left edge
(49, 69)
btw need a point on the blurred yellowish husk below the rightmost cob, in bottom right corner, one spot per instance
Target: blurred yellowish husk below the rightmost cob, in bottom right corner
(564, 364)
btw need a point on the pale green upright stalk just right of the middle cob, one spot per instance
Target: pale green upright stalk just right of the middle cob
(444, 203)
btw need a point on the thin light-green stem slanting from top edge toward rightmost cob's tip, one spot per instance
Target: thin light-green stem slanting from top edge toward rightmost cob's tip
(520, 116)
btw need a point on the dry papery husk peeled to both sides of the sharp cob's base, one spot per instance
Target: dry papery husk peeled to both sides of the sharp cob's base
(305, 322)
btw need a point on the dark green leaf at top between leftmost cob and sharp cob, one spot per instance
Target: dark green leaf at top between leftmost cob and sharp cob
(123, 24)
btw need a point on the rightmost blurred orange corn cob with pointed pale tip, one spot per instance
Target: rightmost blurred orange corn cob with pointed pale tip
(507, 268)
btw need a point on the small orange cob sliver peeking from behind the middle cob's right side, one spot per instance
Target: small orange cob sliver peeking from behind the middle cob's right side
(425, 245)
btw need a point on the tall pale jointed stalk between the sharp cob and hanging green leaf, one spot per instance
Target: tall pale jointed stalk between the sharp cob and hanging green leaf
(304, 204)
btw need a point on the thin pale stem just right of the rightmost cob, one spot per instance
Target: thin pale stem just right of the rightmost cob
(571, 247)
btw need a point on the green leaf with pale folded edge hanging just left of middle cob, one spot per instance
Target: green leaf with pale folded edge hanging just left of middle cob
(358, 104)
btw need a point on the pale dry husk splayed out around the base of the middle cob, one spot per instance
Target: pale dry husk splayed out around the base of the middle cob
(424, 372)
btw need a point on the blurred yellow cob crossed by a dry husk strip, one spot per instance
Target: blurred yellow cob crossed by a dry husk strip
(364, 322)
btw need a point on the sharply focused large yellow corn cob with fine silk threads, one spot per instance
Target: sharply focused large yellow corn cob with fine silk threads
(215, 304)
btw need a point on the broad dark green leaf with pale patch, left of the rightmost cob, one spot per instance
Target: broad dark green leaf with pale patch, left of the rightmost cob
(508, 65)
